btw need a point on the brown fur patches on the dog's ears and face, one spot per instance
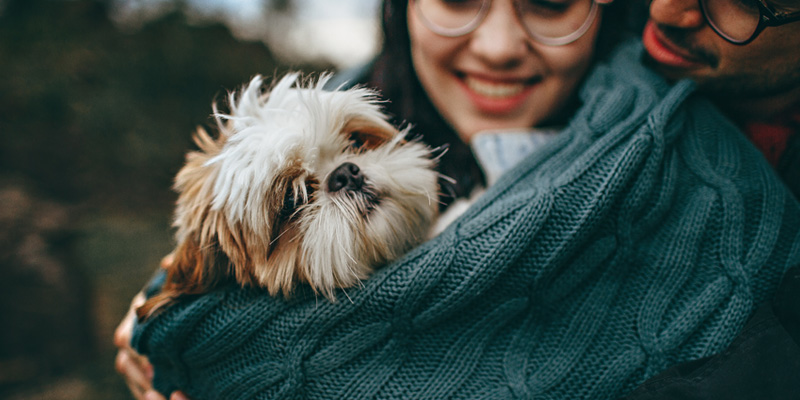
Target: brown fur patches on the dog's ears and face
(213, 250)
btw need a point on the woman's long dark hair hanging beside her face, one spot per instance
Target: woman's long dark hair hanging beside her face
(393, 74)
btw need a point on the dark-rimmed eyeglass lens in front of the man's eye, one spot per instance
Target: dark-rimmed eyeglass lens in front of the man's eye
(737, 20)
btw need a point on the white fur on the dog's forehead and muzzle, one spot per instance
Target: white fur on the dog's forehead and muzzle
(290, 127)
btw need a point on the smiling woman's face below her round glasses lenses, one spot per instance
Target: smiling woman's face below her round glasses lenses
(496, 77)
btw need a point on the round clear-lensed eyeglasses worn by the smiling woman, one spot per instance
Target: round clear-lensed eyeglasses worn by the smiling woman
(550, 22)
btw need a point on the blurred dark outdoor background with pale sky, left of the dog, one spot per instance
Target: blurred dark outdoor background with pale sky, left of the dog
(98, 100)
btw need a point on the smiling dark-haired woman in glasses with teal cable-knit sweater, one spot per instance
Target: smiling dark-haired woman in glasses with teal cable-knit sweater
(596, 263)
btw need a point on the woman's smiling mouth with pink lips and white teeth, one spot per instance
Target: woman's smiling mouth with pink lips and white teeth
(497, 96)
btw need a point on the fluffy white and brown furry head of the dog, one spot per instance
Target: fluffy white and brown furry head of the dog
(255, 204)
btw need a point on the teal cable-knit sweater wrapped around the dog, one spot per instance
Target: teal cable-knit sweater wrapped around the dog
(641, 237)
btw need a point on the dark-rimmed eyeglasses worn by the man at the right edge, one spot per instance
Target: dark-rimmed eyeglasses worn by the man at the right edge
(740, 21)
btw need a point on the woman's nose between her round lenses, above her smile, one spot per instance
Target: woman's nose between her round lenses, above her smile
(500, 40)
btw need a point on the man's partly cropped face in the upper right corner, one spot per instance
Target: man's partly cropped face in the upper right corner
(681, 44)
